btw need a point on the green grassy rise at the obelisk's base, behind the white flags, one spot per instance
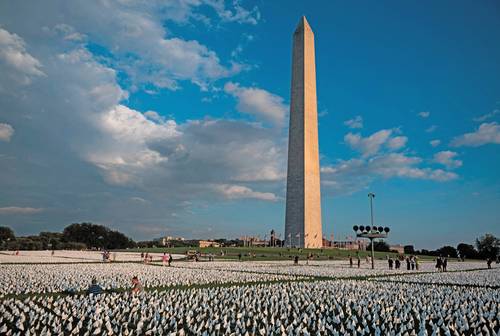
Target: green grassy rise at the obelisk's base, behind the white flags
(268, 253)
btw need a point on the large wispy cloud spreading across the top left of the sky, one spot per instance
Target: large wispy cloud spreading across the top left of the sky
(137, 40)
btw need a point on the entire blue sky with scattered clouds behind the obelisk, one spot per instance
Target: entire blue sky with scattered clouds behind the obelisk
(171, 117)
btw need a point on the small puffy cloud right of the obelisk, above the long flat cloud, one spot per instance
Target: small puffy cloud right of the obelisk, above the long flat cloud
(372, 144)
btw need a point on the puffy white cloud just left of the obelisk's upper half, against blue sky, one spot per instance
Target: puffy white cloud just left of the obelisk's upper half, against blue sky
(258, 102)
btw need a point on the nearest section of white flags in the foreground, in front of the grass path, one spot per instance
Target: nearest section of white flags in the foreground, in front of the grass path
(291, 308)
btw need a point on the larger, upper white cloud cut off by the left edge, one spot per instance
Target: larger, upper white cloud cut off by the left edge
(15, 62)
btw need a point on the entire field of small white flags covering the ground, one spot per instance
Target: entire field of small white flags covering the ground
(246, 298)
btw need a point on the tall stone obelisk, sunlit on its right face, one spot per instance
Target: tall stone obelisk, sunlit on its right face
(303, 195)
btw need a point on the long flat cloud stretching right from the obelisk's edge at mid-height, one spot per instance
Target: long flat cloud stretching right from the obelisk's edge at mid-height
(348, 176)
